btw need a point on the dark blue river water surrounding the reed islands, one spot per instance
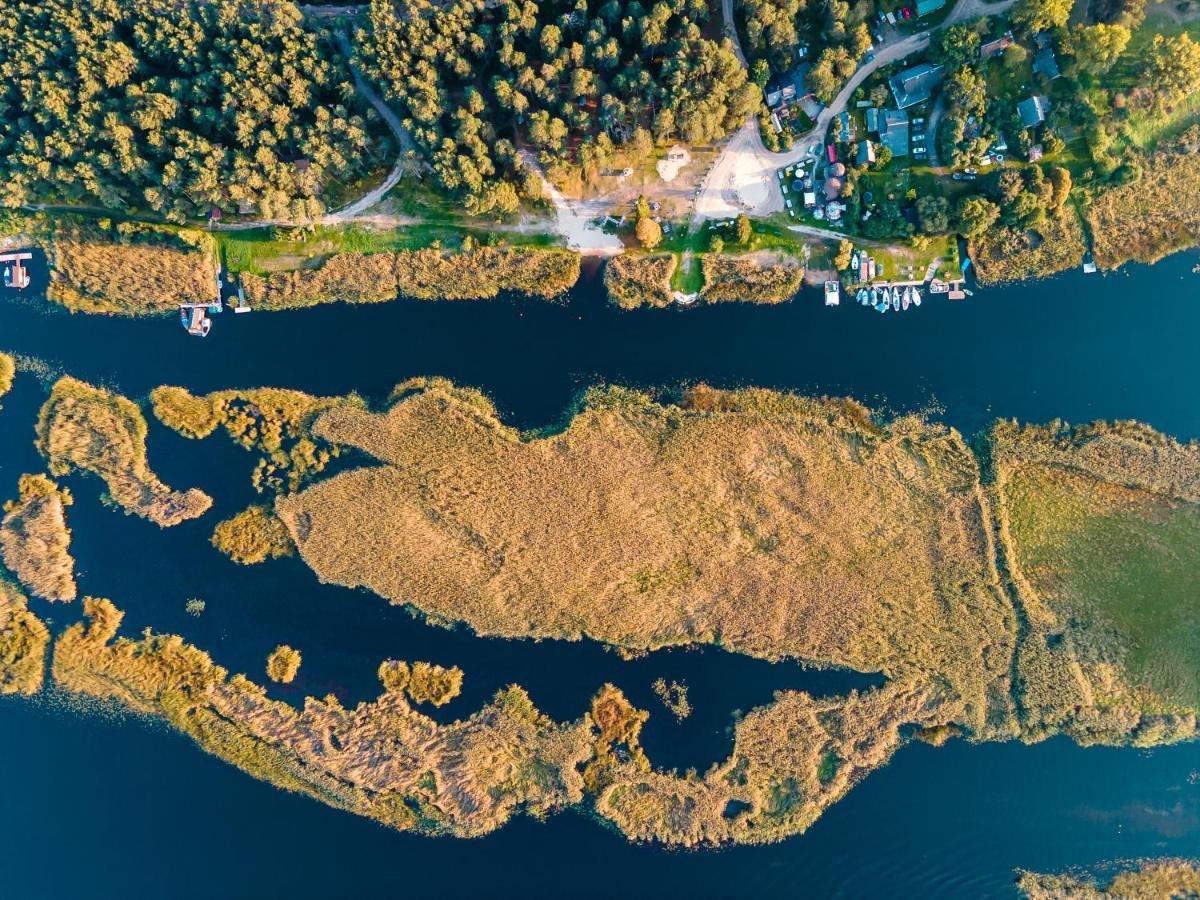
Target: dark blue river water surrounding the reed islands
(93, 808)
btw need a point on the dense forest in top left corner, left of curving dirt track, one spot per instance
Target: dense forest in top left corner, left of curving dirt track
(173, 107)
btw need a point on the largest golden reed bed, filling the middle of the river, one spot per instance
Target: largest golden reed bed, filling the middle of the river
(773, 526)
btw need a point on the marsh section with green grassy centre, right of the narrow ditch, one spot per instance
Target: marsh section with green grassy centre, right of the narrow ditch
(1102, 527)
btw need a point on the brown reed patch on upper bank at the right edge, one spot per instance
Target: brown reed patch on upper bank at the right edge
(1149, 219)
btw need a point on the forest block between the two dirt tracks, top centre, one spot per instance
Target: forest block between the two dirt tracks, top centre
(575, 81)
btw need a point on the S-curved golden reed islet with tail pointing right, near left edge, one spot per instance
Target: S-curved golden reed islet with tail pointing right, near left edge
(89, 429)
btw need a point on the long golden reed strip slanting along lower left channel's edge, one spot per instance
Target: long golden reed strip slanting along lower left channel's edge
(382, 760)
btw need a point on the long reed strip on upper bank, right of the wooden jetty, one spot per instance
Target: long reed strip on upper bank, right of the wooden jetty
(477, 274)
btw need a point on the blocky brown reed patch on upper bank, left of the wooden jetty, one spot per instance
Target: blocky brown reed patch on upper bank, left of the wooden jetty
(130, 269)
